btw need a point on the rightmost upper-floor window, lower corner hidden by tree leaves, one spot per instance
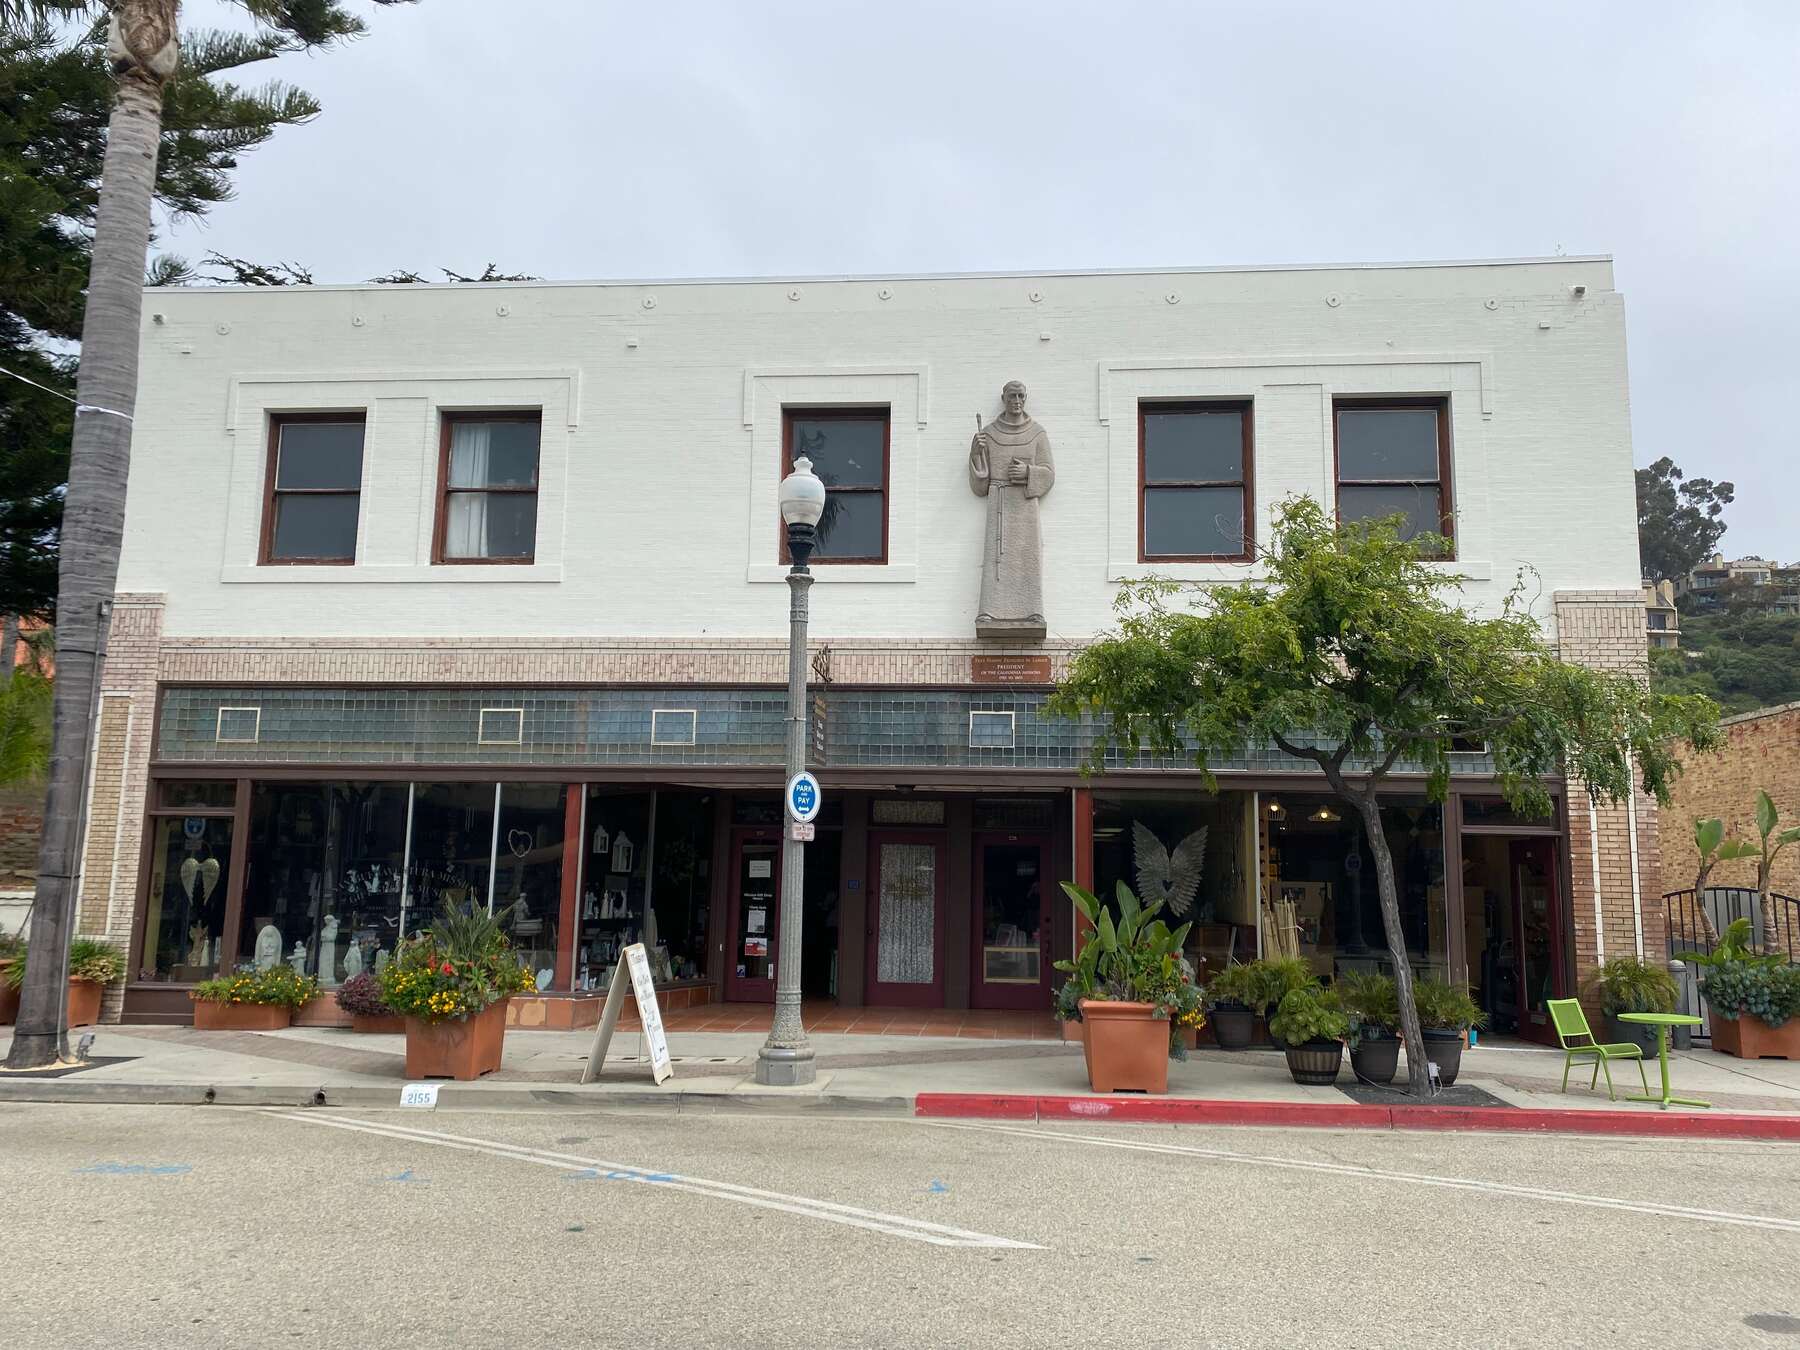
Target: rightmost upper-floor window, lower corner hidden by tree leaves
(1394, 458)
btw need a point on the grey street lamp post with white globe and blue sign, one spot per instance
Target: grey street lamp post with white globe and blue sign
(786, 1059)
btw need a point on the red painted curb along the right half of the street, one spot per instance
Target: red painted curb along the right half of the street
(1354, 1115)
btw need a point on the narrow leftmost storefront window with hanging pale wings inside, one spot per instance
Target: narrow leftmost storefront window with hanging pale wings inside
(184, 917)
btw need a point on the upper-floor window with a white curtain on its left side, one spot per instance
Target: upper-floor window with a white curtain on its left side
(489, 489)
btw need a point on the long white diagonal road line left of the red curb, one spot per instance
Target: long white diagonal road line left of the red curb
(915, 1230)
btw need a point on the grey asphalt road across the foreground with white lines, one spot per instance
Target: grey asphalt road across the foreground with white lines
(384, 1228)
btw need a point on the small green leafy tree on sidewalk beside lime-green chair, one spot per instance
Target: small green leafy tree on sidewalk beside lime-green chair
(1353, 658)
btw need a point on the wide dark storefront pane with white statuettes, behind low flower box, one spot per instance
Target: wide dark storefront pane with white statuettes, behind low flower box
(325, 877)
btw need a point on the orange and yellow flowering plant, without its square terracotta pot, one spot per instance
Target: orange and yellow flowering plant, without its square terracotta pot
(458, 967)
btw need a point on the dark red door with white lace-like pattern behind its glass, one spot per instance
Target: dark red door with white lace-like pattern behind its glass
(906, 921)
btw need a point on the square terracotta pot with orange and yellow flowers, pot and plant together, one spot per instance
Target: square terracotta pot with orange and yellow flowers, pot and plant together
(451, 985)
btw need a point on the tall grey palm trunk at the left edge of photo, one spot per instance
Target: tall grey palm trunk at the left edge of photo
(94, 512)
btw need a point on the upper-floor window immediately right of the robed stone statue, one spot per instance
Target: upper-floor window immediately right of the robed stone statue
(1196, 480)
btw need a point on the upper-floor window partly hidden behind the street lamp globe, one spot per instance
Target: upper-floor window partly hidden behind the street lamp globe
(849, 451)
